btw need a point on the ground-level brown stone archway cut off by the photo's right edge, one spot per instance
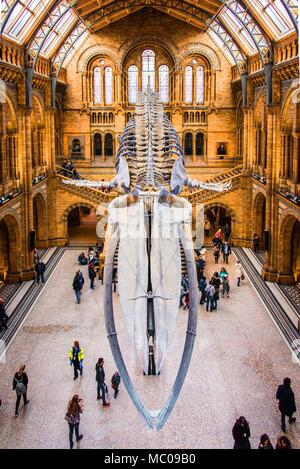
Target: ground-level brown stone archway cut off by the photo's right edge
(289, 250)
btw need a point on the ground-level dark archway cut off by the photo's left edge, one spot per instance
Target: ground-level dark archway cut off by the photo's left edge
(10, 249)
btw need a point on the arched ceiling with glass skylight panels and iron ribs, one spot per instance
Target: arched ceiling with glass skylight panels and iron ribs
(55, 28)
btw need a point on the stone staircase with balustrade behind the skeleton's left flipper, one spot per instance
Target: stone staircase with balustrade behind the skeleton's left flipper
(89, 193)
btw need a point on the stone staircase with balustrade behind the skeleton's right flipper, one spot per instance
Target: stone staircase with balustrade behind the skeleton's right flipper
(203, 195)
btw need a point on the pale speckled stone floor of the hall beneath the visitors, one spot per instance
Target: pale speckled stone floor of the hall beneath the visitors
(238, 361)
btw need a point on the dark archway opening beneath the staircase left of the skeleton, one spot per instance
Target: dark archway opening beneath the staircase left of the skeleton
(81, 224)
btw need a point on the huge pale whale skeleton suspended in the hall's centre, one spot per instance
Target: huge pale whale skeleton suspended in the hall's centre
(149, 223)
